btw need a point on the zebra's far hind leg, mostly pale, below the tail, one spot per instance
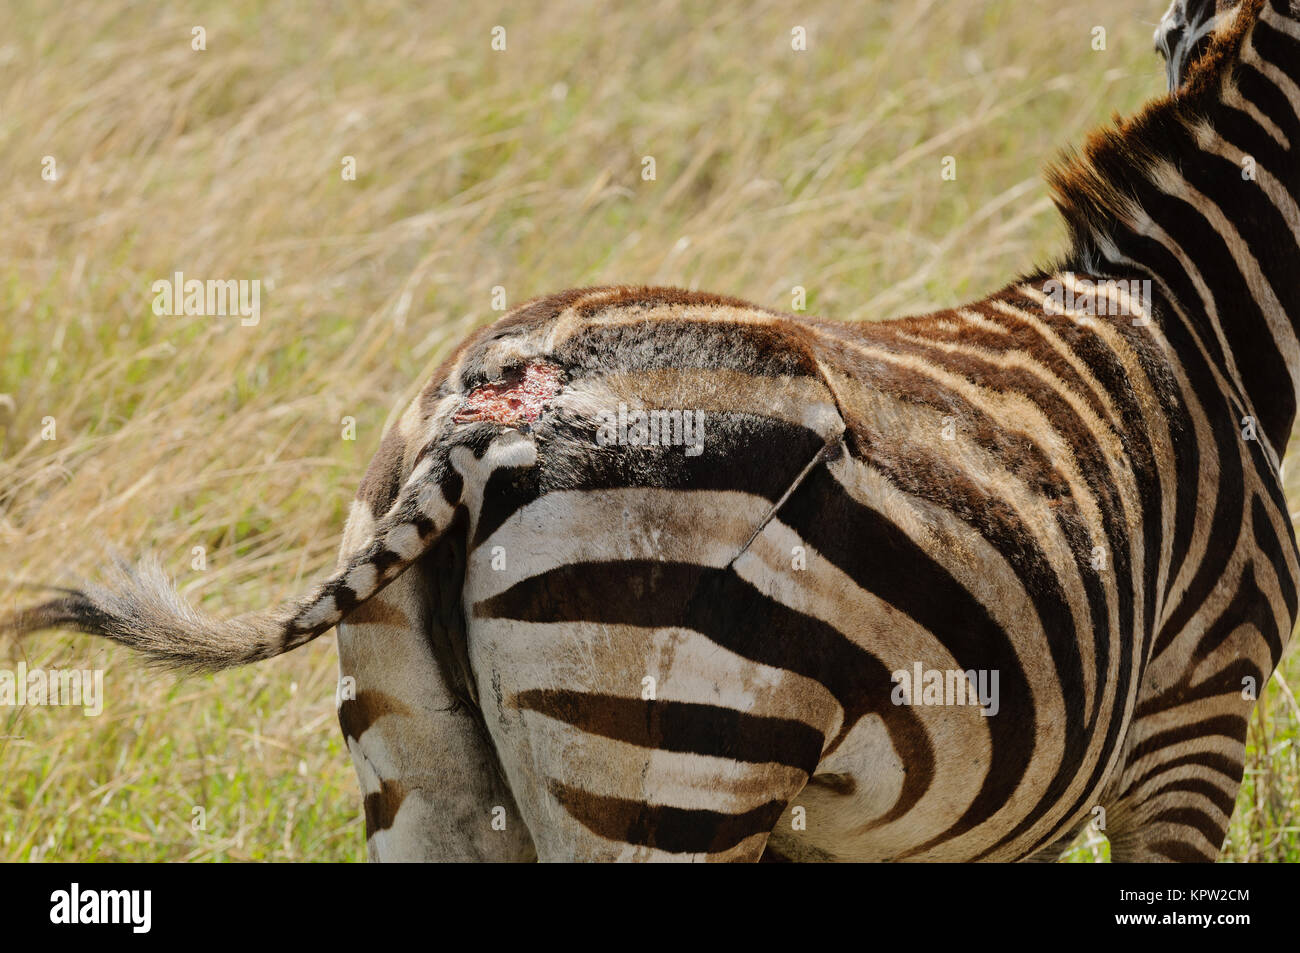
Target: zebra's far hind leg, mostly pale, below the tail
(431, 781)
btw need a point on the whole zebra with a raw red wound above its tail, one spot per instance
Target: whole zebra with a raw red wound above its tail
(569, 634)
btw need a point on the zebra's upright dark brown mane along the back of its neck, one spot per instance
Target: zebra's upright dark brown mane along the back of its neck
(1095, 188)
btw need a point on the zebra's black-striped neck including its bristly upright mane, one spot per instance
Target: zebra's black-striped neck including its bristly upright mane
(1199, 193)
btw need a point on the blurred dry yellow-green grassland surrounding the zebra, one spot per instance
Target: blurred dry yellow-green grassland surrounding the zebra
(475, 168)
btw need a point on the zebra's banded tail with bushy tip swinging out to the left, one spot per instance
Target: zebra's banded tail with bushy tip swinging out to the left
(141, 608)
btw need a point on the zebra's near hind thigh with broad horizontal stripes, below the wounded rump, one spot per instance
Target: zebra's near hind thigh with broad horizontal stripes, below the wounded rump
(647, 699)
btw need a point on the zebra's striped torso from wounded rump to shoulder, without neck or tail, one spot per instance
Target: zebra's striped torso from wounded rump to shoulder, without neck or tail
(920, 590)
